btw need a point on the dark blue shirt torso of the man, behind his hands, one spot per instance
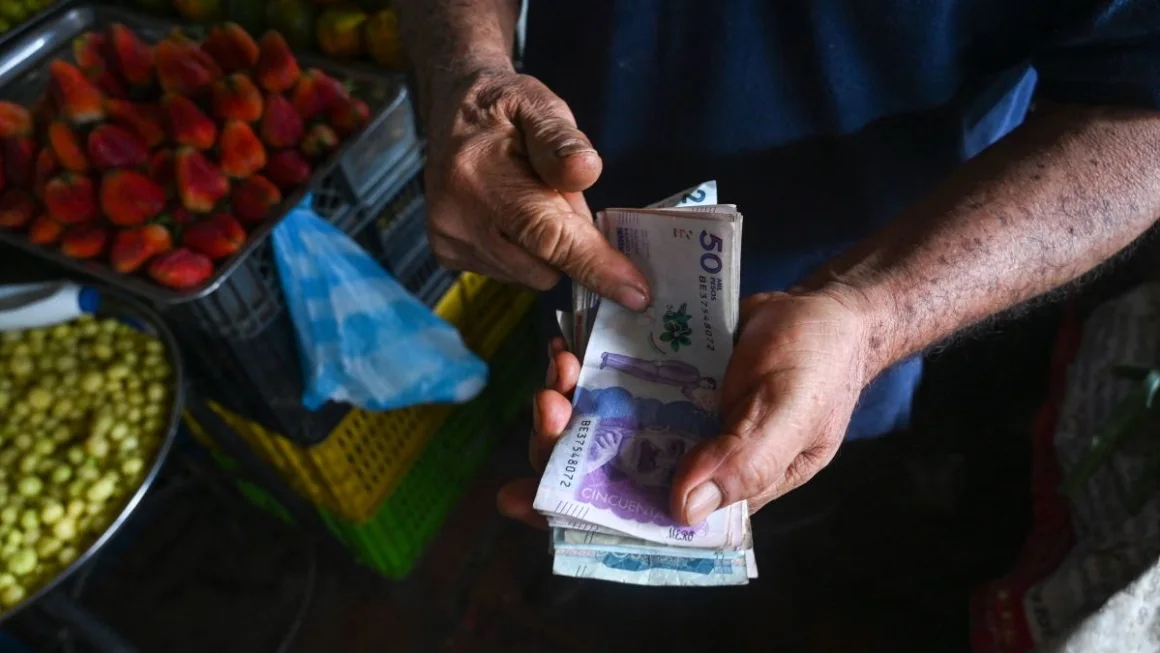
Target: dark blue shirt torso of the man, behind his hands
(824, 119)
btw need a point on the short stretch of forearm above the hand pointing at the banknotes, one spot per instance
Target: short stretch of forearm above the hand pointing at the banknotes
(449, 40)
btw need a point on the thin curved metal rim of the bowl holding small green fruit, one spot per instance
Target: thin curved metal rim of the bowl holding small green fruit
(144, 320)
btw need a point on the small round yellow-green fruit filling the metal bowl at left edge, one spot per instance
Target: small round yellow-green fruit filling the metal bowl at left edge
(84, 409)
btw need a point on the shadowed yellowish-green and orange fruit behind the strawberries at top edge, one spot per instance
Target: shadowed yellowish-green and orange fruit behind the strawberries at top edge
(367, 30)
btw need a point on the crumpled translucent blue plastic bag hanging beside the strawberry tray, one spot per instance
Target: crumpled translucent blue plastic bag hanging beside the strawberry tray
(362, 338)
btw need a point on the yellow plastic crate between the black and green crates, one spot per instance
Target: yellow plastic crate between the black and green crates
(364, 460)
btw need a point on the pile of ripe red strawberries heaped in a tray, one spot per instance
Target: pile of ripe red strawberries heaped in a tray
(159, 158)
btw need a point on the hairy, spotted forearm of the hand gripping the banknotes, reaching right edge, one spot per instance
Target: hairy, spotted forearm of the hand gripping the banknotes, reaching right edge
(1062, 194)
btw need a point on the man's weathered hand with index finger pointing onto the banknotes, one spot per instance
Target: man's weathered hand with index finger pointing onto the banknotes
(506, 171)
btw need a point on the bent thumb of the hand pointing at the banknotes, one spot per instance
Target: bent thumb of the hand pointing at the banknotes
(562, 155)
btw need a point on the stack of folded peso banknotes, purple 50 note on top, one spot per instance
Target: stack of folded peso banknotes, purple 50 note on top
(649, 393)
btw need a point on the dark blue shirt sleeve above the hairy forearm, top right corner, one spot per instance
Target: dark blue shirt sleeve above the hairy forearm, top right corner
(1103, 53)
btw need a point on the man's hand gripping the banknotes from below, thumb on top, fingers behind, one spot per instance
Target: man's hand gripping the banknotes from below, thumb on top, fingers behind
(788, 396)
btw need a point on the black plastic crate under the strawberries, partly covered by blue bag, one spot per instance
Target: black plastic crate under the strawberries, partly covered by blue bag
(252, 366)
